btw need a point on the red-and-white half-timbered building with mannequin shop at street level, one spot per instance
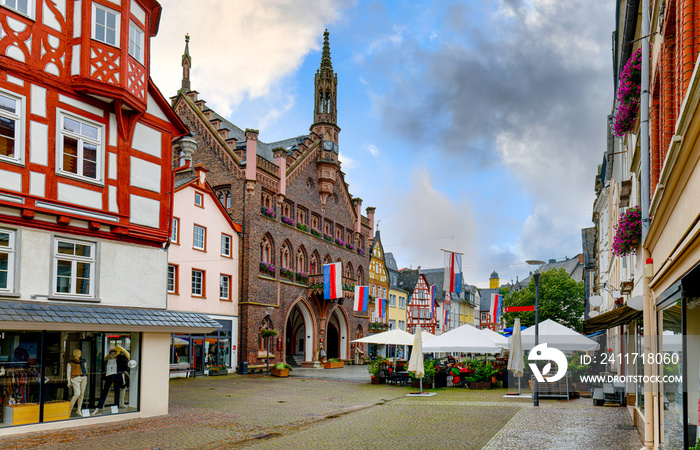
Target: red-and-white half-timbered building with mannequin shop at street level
(85, 183)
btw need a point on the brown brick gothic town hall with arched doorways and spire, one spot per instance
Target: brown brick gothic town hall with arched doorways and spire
(300, 179)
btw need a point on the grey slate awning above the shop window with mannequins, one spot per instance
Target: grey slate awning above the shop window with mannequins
(50, 316)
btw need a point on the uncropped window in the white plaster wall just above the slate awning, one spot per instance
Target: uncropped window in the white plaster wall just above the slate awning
(74, 267)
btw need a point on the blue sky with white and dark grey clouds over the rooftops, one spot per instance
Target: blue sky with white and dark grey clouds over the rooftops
(471, 126)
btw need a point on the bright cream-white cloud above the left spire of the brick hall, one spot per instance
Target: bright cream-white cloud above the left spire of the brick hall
(240, 49)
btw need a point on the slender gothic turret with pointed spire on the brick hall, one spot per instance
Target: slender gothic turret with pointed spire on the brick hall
(325, 126)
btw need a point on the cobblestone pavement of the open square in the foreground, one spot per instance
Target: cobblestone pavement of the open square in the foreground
(255, 411)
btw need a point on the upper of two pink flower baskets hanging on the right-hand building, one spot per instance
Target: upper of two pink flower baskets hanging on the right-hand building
(628, 91)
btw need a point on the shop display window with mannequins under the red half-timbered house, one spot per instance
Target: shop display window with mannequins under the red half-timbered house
(59, 375)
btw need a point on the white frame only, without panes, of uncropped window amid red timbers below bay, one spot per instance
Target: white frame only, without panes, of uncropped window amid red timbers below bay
(82, 140)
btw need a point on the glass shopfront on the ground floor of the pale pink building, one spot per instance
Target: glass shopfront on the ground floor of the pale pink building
(203, 351)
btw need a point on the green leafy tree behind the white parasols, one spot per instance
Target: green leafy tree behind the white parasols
(561, 299)
